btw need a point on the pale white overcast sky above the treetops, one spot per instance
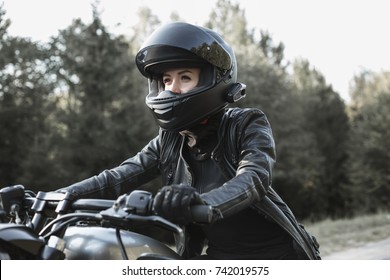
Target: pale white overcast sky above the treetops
(340, 38)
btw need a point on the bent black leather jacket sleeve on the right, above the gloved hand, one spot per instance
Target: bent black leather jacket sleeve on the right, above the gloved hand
(251, 136)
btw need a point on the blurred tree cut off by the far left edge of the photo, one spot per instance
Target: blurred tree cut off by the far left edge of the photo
(26, 107)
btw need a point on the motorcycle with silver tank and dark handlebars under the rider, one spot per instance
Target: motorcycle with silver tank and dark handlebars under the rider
(55, 226)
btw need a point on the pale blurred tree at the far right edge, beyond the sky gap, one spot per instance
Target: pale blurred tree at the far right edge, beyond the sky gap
(369, 148)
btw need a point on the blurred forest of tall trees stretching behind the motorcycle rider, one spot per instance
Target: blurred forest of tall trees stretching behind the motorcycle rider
(74, 106)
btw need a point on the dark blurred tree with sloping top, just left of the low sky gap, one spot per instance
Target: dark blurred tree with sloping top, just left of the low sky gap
(326, 122)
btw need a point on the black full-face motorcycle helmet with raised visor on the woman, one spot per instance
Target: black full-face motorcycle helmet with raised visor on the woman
(182, 45)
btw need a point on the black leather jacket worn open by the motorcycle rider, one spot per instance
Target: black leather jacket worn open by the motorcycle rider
(245, 153)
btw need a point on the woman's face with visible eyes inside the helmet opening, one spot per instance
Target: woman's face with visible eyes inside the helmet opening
(181, 80)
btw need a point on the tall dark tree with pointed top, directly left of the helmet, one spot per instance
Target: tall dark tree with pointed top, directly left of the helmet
(102, 120)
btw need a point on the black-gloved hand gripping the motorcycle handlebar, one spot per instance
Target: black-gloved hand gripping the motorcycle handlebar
(173, 203)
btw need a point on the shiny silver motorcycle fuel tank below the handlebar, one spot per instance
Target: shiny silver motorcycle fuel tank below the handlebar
(97, 243)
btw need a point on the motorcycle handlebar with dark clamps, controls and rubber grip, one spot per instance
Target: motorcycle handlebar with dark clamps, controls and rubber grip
(54, 204)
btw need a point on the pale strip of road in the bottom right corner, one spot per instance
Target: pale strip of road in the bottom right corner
(372, 251)
